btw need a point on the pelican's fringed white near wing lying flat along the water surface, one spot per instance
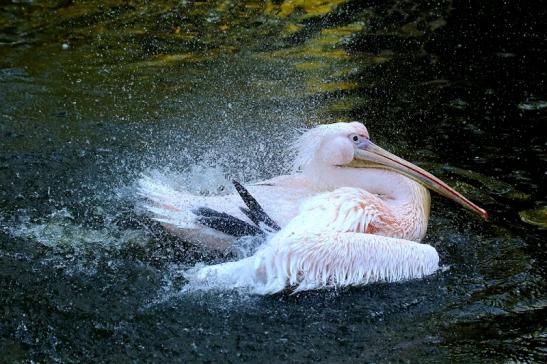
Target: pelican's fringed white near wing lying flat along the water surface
(320, 261)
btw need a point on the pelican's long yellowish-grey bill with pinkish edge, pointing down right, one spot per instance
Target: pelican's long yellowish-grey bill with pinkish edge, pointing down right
(370, 155)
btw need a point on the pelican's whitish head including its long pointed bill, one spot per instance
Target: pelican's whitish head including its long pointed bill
(349, 145)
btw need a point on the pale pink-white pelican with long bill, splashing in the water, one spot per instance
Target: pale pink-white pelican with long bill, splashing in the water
(351, 213)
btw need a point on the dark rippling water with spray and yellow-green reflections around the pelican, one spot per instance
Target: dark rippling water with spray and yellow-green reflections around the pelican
(92, 94)
